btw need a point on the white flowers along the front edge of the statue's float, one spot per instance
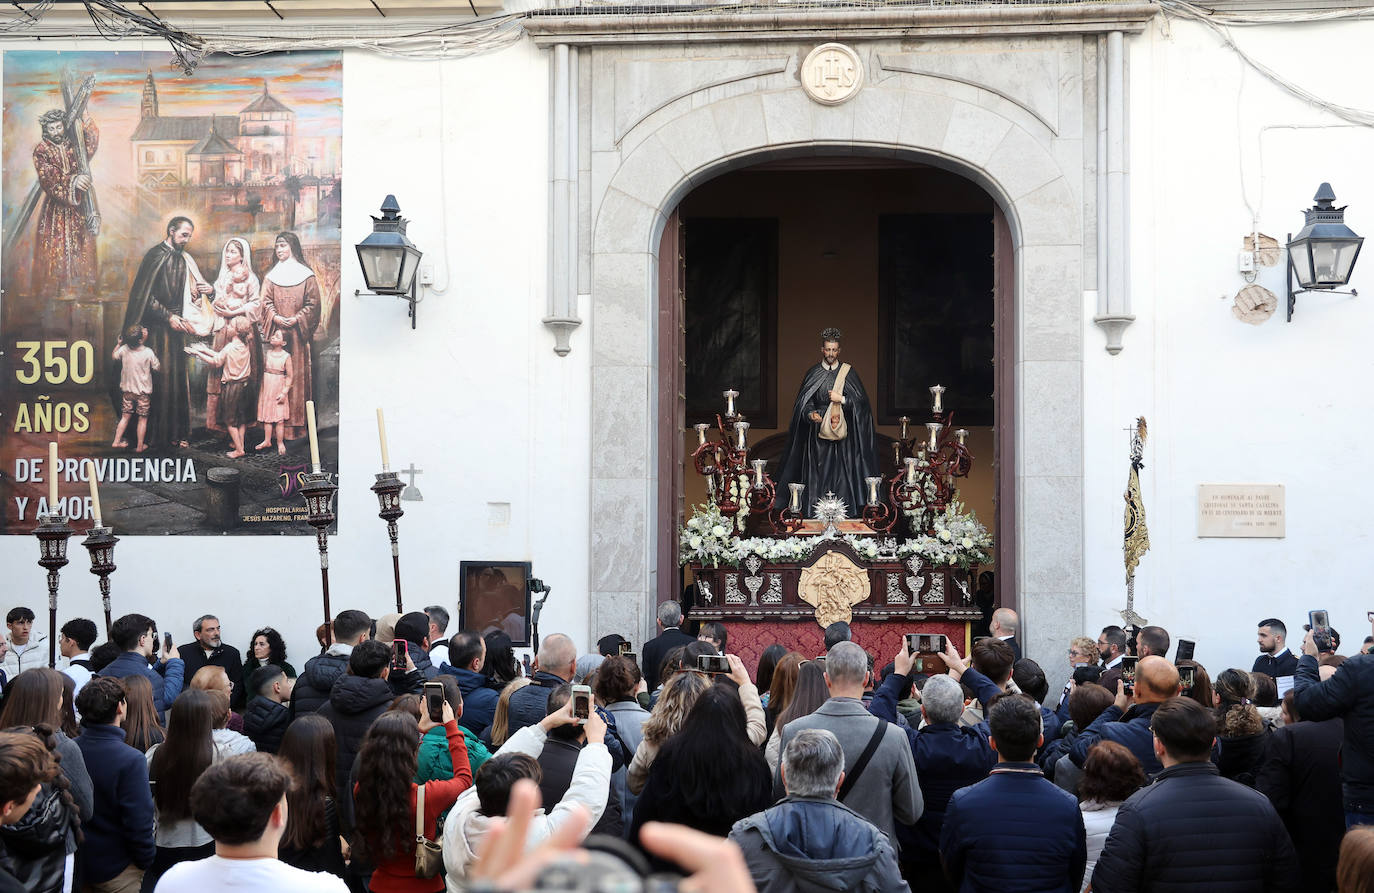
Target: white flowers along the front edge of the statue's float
(708, 539)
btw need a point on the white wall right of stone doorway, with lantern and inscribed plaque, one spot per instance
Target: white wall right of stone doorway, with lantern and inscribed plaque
(1280, 403)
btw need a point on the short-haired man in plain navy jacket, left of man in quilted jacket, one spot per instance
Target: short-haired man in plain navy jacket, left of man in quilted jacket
(1015, 832)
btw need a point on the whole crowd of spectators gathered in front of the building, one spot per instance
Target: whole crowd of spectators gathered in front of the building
(407, 760)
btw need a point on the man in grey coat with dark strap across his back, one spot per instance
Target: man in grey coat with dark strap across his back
(883, 777)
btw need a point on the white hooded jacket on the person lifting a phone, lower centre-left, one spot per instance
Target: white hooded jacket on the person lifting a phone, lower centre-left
(466, 826)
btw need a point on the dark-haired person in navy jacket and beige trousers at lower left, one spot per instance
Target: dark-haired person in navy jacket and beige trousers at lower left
(119, 844)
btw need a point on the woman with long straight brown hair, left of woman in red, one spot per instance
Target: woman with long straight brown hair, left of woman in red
(313, 840)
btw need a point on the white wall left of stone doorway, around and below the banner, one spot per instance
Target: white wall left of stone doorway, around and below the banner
(475, 396)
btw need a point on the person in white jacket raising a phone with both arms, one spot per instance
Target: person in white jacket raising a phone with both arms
(472, 815)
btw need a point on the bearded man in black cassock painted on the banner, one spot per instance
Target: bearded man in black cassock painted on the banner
(157, 303)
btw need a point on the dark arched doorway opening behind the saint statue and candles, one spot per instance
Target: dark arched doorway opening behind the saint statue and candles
(913, 262)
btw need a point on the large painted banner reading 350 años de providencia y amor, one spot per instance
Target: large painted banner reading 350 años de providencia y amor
(171, 274)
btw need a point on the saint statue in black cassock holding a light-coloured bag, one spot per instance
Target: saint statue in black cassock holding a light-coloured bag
(826, 465)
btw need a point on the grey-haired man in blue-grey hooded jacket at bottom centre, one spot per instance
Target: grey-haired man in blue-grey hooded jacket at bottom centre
(811, 841)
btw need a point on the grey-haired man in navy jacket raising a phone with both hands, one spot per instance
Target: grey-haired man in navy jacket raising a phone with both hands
(947, 755)
